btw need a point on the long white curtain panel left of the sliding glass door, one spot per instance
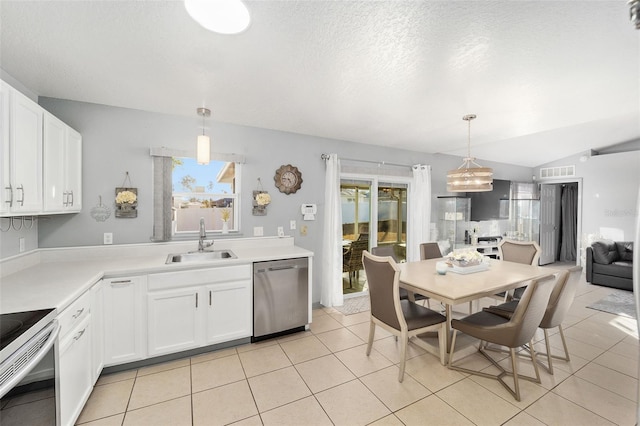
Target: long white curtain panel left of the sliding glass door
(331, 294)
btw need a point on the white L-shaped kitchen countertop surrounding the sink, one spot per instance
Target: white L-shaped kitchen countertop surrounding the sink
(54, 278)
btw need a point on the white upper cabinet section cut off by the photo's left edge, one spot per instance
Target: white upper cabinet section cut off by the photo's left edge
(22, 154)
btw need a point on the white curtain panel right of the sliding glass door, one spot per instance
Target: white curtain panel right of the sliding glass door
(419, 211)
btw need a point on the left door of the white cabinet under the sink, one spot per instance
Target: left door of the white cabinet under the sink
(174, 320)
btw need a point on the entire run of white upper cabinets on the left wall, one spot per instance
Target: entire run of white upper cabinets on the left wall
(40, 159)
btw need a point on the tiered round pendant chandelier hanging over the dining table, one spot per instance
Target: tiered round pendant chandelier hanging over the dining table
(470, 176)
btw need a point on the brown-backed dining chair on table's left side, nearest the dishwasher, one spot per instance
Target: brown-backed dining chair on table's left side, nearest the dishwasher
(402, 318)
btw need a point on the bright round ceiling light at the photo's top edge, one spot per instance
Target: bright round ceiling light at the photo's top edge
(220, 16)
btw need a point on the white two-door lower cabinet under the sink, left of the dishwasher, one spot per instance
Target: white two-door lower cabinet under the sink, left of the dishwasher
(189, 309)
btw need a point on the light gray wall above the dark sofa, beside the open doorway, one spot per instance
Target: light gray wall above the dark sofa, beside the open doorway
(610, 189)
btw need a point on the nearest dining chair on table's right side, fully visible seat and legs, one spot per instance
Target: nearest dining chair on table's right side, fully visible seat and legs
(511, 332)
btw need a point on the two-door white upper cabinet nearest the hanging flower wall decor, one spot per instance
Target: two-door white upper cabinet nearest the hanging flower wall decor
(62, 167)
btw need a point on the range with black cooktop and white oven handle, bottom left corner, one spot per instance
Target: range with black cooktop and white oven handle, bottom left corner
(28, 358)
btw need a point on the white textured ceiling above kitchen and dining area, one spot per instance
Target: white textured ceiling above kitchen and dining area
(547, 79)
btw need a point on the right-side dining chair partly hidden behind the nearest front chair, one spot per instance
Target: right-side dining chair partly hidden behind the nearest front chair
(559, 303)
